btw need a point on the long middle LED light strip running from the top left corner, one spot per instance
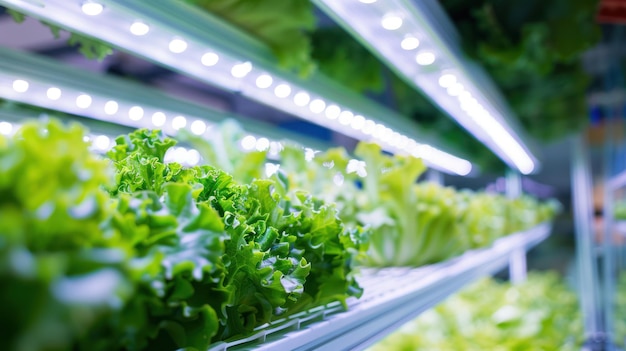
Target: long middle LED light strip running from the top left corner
(201, 46)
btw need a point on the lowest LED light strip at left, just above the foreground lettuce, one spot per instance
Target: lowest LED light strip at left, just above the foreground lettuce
(42, 82)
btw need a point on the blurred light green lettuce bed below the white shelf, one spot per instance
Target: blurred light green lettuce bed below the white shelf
(540, 313)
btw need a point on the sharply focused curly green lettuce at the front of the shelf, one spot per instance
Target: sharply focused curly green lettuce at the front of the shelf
(281, 255)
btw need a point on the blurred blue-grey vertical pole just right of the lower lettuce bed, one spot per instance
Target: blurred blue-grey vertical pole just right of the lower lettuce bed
(588, 283)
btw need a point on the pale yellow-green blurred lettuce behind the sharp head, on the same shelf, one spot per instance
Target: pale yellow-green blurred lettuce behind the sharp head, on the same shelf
(407, 223)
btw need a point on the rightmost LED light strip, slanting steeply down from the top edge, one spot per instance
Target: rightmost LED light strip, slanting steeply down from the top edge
(399, 32)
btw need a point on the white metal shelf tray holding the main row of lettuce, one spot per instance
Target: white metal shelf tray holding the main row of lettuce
(391, 297)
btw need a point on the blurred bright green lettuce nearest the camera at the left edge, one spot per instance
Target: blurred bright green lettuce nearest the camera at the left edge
(61, 269)
